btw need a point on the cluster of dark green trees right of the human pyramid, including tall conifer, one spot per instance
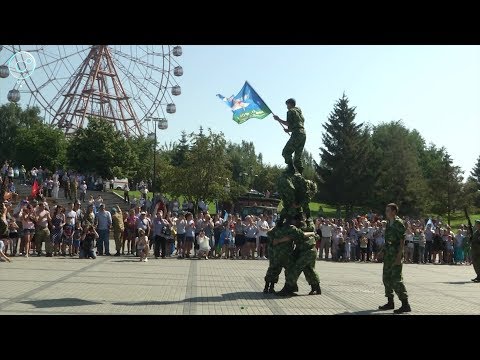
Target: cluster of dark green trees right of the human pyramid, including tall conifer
(369, 166)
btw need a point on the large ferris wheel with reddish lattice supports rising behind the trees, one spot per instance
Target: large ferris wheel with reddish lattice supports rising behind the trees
(125, 84)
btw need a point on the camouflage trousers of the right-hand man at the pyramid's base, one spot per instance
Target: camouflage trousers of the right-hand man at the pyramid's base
(304, 261)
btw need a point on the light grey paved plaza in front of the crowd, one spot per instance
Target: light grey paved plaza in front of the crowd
(123, 285)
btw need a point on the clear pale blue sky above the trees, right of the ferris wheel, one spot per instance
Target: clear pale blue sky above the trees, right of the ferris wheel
(434, 89)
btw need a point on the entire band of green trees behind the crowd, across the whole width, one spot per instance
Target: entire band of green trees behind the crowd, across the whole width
(360, 165)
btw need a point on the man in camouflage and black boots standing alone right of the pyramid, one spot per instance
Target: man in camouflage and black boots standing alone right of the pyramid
(392, 261)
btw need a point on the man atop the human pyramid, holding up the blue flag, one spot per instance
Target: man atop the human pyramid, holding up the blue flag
(297, 139)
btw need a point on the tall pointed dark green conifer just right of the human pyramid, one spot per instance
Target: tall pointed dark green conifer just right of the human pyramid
(342, 166)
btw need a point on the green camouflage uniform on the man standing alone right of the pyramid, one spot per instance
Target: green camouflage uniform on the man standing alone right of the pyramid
(392, 274)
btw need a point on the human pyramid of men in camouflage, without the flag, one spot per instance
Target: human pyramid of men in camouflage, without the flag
(291, 244)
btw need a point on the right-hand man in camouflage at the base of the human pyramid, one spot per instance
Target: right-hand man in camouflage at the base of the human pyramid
(304, 255)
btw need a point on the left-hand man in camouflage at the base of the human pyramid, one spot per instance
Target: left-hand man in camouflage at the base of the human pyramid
(279, 256)
